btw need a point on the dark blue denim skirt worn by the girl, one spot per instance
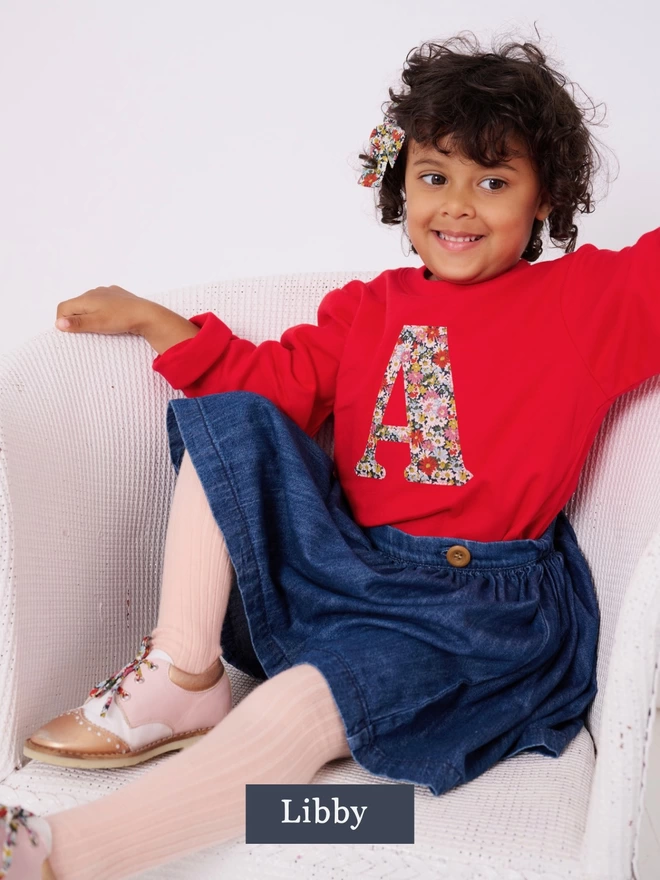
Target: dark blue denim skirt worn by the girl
(437, 671)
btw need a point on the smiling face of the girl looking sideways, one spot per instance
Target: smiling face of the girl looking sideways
(452, 194)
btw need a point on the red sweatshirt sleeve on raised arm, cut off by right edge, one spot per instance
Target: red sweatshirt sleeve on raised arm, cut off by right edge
(610, 304)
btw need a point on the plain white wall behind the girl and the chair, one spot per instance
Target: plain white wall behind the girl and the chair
(156, 144)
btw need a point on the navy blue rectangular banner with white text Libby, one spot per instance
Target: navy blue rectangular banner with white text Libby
(316, 813)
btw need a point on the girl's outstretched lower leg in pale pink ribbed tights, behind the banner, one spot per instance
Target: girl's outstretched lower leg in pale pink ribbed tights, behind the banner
(282, 732)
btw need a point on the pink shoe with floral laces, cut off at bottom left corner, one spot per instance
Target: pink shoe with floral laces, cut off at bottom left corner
(26, 842)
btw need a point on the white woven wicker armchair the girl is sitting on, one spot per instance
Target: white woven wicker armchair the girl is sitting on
(85, 489)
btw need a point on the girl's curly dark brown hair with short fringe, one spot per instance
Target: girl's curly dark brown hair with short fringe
(481, 99)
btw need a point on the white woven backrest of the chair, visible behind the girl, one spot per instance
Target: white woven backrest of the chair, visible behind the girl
(615, 508)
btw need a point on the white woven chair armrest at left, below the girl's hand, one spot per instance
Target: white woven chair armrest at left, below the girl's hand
(85, 488)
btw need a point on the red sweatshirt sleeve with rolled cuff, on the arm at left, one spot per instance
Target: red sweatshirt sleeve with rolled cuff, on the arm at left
(298, 373)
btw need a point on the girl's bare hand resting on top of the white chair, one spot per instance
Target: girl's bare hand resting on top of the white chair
(102, 310)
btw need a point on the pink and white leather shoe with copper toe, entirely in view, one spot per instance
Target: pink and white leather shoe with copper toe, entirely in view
(144, 715)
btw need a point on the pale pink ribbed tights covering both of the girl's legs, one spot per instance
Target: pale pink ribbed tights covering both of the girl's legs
(283, 731)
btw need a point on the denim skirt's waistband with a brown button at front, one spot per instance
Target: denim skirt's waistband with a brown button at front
(429, 550)
